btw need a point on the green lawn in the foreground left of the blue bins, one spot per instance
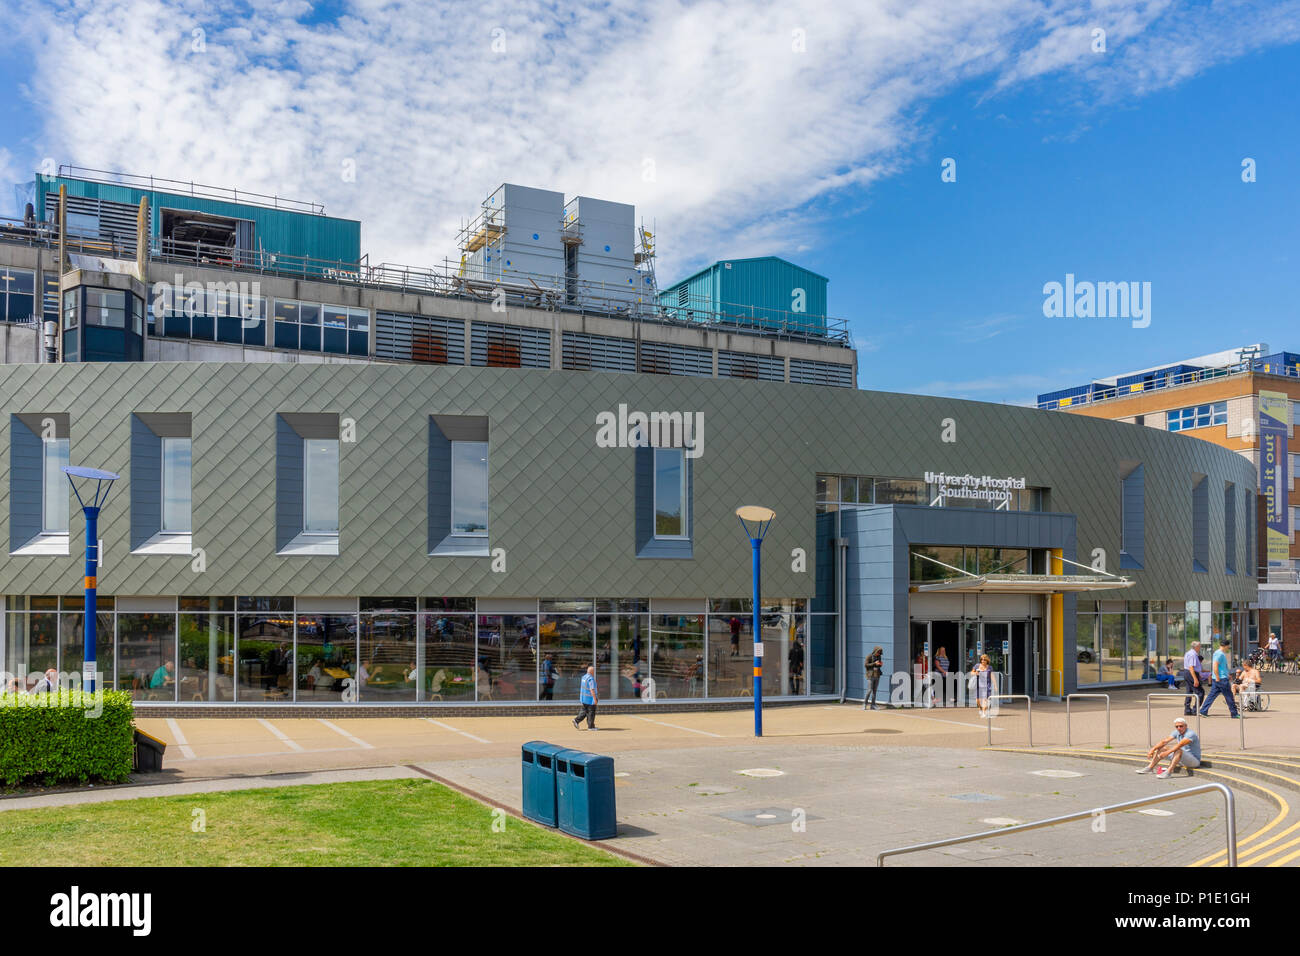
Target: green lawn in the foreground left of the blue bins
(371, 824)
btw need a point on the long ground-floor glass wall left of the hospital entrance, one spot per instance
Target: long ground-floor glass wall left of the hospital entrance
(406, 650)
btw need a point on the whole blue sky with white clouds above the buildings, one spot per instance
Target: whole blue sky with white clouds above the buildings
(794, 128)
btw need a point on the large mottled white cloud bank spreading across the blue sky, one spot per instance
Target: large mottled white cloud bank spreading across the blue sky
(746, 135)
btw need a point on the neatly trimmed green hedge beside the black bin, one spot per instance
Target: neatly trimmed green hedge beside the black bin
(66, 738)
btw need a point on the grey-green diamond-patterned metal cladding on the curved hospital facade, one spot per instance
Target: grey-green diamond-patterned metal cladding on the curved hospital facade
(561, 507)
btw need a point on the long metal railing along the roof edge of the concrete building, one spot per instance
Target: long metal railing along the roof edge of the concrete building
(552, 293)
